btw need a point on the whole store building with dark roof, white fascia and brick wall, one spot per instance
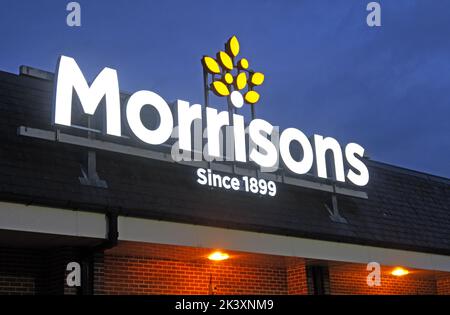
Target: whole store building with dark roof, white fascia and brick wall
(140, 224)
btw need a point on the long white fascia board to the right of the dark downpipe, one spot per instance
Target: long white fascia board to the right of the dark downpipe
(143, 230)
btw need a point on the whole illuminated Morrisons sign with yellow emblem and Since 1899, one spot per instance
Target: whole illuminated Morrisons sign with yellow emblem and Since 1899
(228, 77)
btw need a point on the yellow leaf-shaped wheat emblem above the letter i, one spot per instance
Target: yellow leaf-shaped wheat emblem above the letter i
(229, 75)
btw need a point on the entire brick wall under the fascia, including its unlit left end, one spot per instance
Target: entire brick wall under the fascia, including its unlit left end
(138, 268)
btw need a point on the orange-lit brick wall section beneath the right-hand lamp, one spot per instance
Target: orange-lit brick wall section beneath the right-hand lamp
(351, 279)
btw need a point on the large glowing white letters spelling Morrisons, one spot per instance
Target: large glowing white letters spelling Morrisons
(264, 147)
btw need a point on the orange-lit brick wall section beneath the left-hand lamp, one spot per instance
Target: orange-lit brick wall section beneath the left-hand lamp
(134, 268)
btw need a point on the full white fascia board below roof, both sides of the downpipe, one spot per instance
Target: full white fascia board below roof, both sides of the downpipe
(20, 217)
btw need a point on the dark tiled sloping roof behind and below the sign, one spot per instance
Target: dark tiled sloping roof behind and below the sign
(405, 209)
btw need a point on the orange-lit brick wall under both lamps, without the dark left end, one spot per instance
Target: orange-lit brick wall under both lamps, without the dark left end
(136, 268)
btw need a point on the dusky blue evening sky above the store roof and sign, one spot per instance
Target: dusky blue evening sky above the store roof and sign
(386, 88)
